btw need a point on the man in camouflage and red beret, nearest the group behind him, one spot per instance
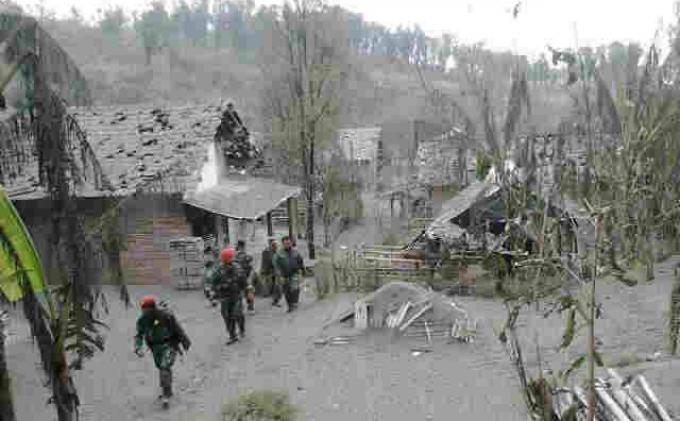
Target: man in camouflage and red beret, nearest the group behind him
(228, 286)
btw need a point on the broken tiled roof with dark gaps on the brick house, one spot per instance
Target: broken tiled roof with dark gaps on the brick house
(136, 144)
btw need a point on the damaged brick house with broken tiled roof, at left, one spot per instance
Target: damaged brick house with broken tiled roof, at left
(151, 157)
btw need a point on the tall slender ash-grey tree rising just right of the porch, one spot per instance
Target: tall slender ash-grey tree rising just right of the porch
(304, 63)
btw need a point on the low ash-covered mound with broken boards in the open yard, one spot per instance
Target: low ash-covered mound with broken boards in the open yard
(414, 312)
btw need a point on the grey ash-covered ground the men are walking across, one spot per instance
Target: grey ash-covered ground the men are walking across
(375, 378)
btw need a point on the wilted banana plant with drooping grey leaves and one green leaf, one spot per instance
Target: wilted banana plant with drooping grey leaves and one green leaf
(63, 323)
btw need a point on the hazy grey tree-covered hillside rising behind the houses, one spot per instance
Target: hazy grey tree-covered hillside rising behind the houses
(379, 89)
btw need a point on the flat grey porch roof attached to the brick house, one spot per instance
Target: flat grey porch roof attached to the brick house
(242, 197)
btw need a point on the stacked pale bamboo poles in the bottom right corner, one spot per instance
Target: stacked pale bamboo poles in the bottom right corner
(617, 399)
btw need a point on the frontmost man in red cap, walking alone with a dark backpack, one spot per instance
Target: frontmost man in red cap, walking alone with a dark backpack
(163, 335)
